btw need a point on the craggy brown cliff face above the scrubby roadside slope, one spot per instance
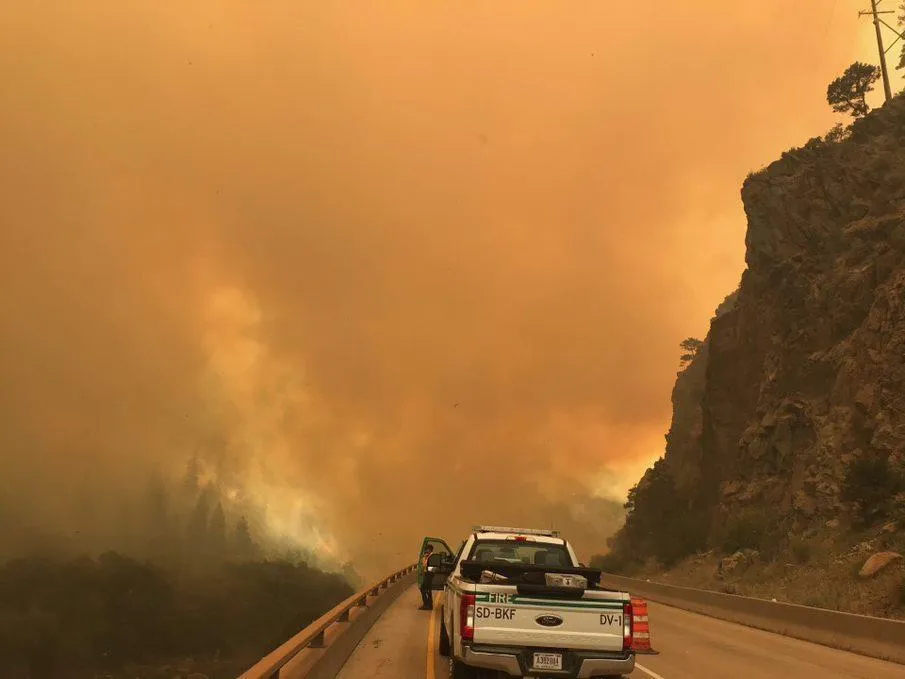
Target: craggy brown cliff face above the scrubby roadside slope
(803, 371)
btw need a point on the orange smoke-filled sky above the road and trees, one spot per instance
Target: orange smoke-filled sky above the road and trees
(388, 251)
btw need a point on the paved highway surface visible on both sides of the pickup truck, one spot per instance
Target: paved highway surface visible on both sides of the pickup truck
(402, 644)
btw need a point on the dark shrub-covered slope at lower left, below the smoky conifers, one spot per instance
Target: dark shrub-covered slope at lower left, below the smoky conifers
(120, 618)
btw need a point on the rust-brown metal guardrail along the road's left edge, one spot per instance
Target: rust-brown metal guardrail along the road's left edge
(313, 635)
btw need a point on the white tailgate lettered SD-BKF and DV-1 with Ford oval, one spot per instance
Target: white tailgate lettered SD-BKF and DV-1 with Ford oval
(514, 619)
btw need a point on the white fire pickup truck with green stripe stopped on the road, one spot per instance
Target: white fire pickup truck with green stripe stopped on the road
(517, 603)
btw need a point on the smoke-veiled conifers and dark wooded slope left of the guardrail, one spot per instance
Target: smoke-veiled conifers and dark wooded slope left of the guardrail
(195, 589)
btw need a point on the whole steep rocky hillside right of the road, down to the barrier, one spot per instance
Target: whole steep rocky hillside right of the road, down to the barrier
(785, 461)
